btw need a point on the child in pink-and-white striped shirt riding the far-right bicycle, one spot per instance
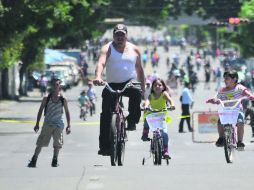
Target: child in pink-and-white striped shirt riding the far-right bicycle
(232, 91)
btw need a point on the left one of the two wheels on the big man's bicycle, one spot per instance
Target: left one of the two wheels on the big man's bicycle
(113, 140)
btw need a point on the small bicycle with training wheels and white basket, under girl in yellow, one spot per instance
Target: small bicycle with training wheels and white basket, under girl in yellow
(157, 123)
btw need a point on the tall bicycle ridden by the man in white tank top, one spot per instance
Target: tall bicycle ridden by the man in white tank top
(118, 135)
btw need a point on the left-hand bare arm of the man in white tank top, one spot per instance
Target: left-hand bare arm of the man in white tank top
(104, 54)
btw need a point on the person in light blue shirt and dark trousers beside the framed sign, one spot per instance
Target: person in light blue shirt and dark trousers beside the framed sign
(186, 101)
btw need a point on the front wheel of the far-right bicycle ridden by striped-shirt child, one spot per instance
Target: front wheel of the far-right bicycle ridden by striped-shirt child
(228, 148)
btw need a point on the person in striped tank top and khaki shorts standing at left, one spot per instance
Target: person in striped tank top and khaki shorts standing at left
(53, 124)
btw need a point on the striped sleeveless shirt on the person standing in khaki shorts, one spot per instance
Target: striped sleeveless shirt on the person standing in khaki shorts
(54, 114)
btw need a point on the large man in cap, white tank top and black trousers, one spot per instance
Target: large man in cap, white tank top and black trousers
(122, 60)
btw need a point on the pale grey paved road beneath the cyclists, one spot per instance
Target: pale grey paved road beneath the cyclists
(194, 166)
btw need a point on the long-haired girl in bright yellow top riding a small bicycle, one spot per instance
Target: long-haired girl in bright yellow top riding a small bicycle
(158, 100)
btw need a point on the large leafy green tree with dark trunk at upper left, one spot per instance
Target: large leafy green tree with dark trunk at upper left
(27, 27)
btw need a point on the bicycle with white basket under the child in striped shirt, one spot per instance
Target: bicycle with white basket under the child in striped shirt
(228, 114)
